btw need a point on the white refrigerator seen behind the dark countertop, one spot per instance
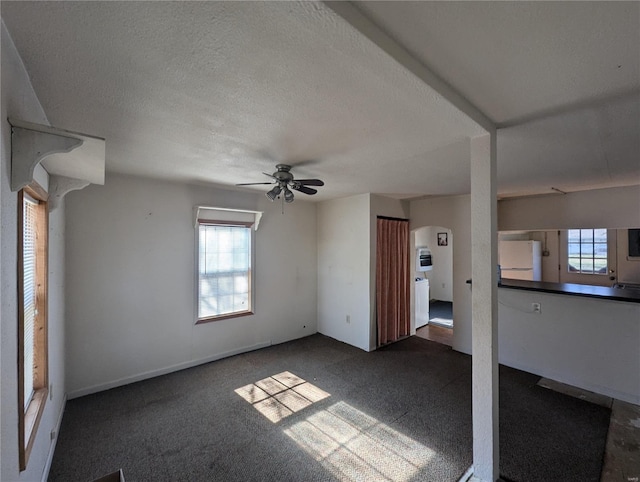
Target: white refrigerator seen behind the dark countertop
(520, 260)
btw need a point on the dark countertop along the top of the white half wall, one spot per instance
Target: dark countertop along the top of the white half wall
(572, 289)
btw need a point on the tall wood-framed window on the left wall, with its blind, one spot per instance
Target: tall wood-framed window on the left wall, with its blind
(32, 315)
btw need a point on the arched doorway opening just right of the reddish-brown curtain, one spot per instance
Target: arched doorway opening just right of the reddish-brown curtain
(435, 282)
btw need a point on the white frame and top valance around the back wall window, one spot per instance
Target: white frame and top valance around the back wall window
(204, 215)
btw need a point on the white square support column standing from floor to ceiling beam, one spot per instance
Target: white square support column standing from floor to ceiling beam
(484, 307)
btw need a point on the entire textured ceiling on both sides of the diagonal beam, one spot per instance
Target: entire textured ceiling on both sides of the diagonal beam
(218, 92)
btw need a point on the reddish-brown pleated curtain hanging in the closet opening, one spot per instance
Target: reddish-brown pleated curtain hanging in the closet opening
(392, 279)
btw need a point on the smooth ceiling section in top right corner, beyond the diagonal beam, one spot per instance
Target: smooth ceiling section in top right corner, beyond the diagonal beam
(517, 60)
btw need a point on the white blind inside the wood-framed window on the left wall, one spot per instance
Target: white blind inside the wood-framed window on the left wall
(29, 269)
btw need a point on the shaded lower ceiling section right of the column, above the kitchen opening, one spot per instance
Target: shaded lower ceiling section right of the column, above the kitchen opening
(584, 148)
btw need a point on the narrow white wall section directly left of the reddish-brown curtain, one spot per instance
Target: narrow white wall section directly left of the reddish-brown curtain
(344, 264)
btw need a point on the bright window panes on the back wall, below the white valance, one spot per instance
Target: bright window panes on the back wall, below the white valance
(224, 270)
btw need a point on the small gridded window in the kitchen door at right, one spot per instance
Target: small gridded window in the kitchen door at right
(587, 250)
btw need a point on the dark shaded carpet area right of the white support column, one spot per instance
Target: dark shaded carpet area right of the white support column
(548, 436)
